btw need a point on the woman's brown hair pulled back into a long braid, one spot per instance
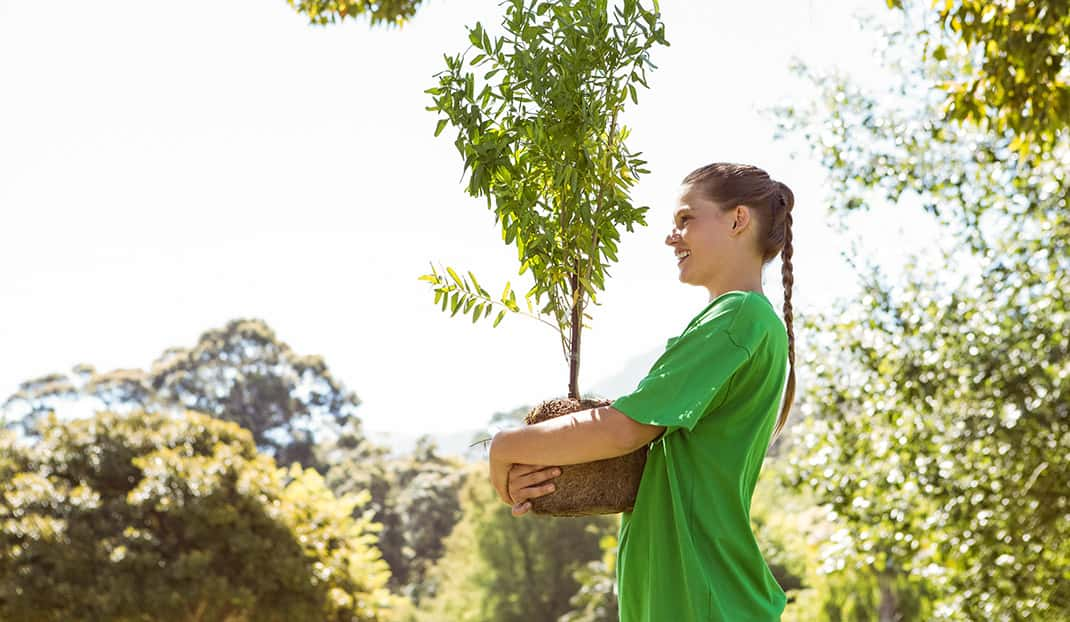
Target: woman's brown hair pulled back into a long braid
(739, 185)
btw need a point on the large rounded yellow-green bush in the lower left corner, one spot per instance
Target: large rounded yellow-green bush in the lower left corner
(147, 517)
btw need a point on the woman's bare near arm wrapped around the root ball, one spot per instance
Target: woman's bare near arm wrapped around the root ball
(579, 437)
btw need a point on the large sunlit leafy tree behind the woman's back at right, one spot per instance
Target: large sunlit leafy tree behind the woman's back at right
(940, 401)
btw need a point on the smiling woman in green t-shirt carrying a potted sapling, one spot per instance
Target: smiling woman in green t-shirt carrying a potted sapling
(708, 408)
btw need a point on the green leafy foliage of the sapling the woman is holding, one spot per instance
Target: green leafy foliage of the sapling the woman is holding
(541, 140)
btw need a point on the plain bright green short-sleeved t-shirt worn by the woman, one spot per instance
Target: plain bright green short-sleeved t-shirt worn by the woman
(686, 552)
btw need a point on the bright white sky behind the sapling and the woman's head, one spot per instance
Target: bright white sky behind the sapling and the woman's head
(167, 168)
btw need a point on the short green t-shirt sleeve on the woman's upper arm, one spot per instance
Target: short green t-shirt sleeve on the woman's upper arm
(687, 380)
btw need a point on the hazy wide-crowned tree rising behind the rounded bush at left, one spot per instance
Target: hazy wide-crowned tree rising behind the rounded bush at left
(240, 373)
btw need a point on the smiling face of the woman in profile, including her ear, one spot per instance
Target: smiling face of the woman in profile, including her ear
(705, 231)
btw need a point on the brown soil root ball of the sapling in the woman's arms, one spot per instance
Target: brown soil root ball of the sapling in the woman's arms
(601, 488)
